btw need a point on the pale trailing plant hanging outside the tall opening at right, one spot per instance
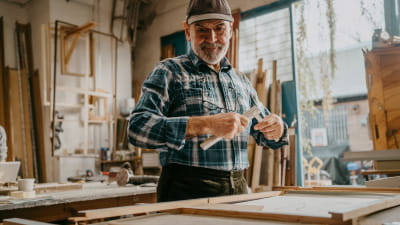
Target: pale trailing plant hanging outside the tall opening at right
(307, 80)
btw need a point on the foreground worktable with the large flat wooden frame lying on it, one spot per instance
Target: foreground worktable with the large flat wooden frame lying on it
(290, 206)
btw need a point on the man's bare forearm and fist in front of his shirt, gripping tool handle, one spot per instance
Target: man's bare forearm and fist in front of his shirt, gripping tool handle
(226, 125)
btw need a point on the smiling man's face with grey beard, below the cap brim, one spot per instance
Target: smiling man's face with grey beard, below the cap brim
(209, 39)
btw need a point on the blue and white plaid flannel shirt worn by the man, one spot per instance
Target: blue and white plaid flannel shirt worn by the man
(185, 86)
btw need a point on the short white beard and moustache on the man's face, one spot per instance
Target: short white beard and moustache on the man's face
(210, 57)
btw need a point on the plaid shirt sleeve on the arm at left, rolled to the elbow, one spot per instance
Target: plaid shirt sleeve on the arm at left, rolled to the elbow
(149, 124)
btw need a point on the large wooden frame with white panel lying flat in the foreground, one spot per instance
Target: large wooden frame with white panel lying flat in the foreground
(342, 206)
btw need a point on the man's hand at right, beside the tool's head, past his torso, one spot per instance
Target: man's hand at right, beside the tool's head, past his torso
(271, 126)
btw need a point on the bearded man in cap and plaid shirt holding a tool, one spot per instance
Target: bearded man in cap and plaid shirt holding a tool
(189, 98)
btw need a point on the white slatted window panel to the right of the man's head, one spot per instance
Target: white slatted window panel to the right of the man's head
(268, 37)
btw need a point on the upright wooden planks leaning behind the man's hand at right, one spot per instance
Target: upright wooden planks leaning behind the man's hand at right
(270, 167)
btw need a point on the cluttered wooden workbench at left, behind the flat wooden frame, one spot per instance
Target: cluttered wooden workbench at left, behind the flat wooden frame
(58, 206)
